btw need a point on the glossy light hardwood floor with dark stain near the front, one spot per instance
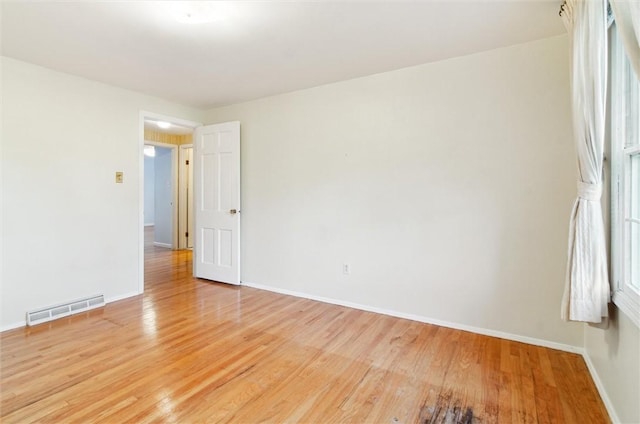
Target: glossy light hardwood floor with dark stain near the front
(194, 351)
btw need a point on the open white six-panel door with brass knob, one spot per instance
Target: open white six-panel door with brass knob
(216, 183)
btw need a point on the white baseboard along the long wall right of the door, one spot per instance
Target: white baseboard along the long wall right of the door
(424, 319)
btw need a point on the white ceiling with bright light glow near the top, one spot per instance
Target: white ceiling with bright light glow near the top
(208, 54)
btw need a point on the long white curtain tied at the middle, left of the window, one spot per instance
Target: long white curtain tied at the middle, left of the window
(586, 292)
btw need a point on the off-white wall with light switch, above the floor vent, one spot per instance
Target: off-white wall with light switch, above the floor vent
(69, 230)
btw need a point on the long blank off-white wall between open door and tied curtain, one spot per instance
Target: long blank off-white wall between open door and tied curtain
(447, 187)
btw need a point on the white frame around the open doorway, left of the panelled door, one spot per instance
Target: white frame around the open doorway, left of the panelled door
(143, 114)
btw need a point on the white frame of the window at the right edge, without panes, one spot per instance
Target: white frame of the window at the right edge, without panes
(625, 296)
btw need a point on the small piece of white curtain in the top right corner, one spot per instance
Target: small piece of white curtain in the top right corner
(627, 14)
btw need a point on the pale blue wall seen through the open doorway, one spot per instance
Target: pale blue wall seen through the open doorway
(163, 197)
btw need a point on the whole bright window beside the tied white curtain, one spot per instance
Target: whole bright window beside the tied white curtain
(625, 181)
